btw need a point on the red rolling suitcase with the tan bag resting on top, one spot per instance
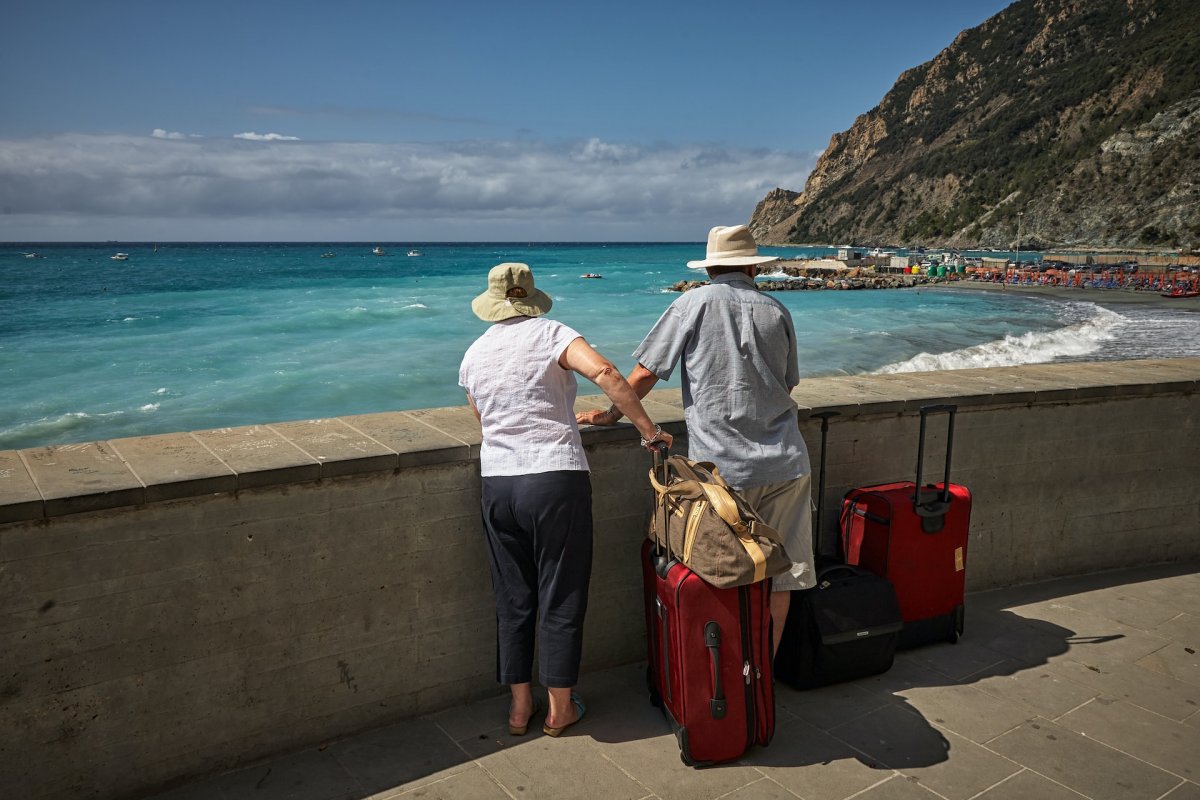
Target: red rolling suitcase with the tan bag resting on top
(709, 659)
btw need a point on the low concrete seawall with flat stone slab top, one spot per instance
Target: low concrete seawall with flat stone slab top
(179, 605)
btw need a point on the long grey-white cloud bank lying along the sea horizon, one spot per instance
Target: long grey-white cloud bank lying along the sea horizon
(103, 187)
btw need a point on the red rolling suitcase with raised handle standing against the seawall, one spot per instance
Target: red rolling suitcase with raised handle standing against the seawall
(917, 539)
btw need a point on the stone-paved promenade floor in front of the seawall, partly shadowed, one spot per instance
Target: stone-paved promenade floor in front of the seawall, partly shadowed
(1082, 688)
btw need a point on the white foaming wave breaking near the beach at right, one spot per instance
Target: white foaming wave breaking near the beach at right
(1075, 341)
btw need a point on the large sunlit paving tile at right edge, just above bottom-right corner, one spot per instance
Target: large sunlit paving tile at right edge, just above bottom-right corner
(1166, 744)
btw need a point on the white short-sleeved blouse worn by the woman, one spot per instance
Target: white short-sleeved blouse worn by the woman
(526, 400)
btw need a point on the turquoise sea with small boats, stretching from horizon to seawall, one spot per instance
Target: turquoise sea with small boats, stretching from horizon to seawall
(194, 336)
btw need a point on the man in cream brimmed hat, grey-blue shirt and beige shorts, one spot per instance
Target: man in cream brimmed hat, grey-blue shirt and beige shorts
(739, 359)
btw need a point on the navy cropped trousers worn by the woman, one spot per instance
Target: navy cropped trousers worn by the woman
(539, 539)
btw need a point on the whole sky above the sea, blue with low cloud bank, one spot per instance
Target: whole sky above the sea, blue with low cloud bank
(428, 122)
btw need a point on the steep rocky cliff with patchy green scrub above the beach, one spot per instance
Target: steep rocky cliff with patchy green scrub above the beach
(1076, 123)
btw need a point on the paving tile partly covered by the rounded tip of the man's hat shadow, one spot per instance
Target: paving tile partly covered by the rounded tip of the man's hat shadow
(902, 739)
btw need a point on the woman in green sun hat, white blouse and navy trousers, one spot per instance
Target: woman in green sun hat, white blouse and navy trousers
(537, 494)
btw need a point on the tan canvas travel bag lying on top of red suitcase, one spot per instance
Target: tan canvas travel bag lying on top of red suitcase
(711, 528)
